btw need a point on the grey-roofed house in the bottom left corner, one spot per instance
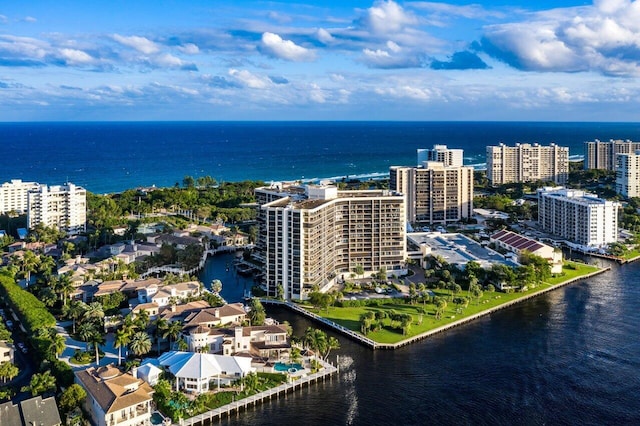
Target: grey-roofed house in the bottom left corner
(30, 412)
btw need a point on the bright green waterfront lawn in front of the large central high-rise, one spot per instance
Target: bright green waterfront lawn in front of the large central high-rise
(350, 317)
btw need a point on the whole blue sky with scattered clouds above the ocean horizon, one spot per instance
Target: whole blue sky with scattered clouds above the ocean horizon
(323, 60)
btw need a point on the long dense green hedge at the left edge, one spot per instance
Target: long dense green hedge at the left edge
(33, 314)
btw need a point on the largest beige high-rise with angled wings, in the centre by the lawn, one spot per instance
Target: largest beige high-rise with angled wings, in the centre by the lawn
(309, 240)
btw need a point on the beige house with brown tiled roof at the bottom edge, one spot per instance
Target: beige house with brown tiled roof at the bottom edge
(115, 398)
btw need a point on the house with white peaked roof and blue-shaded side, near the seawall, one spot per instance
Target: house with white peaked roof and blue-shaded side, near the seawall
(197, 372)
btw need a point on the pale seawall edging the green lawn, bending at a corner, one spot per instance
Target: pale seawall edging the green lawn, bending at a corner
(392, 346)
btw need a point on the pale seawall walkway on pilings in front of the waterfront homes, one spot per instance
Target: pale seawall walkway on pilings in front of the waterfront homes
(207, 418)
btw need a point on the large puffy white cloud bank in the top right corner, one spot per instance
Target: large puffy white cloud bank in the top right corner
(603, 38)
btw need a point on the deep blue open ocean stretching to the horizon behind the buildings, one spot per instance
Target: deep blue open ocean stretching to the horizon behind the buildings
(113, 156)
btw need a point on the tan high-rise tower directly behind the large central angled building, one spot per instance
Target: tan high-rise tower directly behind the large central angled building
(434, 193)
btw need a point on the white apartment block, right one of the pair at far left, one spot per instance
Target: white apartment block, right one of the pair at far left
(63, 207)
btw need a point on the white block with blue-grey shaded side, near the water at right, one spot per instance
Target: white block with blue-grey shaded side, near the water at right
(578, 216)
